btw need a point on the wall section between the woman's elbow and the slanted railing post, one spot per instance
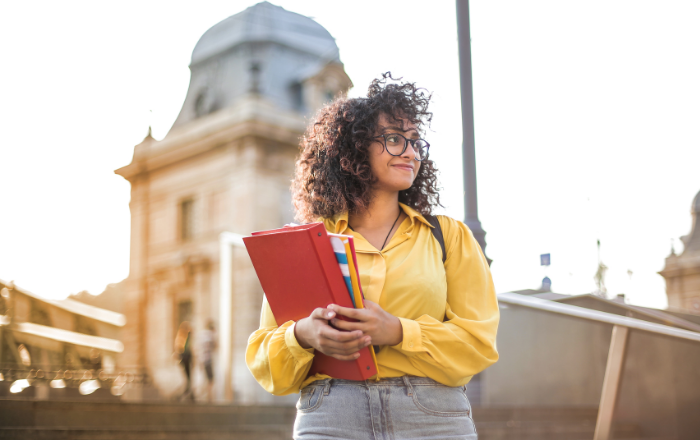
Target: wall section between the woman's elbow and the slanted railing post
(546, 360)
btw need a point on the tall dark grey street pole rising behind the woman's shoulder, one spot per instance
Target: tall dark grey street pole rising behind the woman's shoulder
(471, 208)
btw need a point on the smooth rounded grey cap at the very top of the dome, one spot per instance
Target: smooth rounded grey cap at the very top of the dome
(265, 22)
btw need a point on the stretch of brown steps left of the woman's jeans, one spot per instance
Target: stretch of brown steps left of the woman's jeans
(35, 420)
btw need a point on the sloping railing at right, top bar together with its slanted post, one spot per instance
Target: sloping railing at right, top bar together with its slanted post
(616, 353)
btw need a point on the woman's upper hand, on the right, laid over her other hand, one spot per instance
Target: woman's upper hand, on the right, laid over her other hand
(383, 327)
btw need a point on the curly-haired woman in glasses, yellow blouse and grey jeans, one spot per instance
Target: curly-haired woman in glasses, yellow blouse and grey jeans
(364, 171)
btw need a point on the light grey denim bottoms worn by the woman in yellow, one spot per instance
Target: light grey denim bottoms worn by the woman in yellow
(390, 409)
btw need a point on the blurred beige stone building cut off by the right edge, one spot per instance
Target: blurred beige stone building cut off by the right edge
(682, 272)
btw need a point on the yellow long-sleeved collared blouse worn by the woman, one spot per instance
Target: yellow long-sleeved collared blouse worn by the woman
(449, 312)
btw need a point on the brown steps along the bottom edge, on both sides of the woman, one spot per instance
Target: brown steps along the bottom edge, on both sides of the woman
(81, 420)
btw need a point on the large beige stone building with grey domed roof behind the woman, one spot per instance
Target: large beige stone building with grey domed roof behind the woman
(226, 165)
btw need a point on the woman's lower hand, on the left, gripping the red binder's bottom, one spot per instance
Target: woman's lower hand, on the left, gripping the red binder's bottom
(315, 332)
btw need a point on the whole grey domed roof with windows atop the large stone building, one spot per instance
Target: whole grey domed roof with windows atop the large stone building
(267, 52)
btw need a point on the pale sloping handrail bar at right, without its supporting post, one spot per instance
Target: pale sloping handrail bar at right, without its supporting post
(595, 315)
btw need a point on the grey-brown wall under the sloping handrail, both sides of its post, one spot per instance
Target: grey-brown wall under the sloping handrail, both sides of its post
(551, 360)
